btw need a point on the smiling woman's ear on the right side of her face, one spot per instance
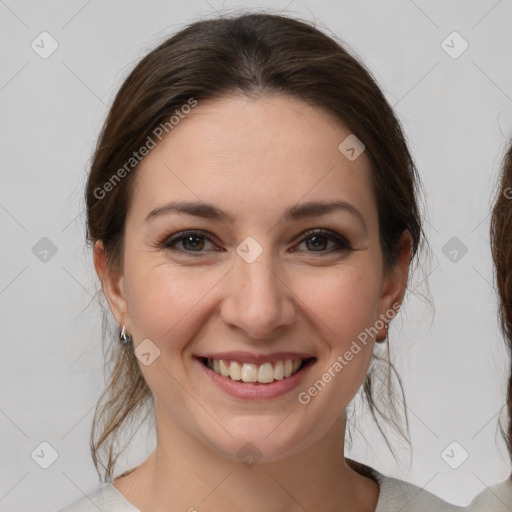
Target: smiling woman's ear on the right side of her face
(394, 285)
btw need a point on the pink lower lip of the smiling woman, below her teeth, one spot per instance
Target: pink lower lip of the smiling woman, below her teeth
(255, 390)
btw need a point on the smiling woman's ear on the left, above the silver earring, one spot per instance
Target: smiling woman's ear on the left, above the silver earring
(112, 283)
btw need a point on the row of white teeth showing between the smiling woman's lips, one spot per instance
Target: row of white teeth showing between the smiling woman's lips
(265, 373)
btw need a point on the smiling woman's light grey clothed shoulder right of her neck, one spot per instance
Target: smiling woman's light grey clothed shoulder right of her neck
(397, 495)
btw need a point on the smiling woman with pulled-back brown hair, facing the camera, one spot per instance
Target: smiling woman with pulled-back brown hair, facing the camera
(231, 154)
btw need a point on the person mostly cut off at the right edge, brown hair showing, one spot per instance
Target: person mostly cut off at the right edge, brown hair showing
(498, 498)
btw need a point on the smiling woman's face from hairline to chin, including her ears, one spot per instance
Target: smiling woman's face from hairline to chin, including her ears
(250, 285)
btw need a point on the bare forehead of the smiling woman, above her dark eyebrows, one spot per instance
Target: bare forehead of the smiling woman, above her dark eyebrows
(253, 154)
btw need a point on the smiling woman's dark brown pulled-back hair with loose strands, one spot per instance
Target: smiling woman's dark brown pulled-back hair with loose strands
(253, 55)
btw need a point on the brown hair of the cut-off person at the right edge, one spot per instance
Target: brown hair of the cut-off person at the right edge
(501, 247)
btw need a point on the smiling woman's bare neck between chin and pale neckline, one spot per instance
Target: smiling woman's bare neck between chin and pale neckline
(193, 475)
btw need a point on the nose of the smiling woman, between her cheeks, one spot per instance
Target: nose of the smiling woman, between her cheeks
(258, 300)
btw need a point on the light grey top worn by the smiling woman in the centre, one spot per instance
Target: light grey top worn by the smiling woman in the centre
(395, 495)
